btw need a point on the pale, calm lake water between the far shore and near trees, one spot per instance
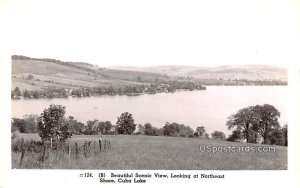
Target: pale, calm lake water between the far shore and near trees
(209, 108)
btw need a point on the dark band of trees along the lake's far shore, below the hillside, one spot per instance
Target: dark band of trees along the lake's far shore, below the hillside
(152, 88)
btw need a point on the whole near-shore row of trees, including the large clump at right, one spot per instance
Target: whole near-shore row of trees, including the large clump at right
(251, 124)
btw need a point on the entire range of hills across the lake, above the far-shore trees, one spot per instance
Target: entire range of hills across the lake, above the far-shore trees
(42, 73)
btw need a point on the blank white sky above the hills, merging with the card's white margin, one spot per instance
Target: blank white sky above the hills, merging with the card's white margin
(153, 32)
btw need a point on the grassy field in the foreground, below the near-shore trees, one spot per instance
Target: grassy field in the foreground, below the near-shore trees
(163, 153)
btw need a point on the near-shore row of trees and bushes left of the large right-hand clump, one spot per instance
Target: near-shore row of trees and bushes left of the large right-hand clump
(52, 123)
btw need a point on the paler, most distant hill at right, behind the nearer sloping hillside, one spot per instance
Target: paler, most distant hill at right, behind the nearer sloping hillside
(228, 72)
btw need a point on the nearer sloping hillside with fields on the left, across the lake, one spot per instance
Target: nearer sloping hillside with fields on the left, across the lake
(40, 74)
